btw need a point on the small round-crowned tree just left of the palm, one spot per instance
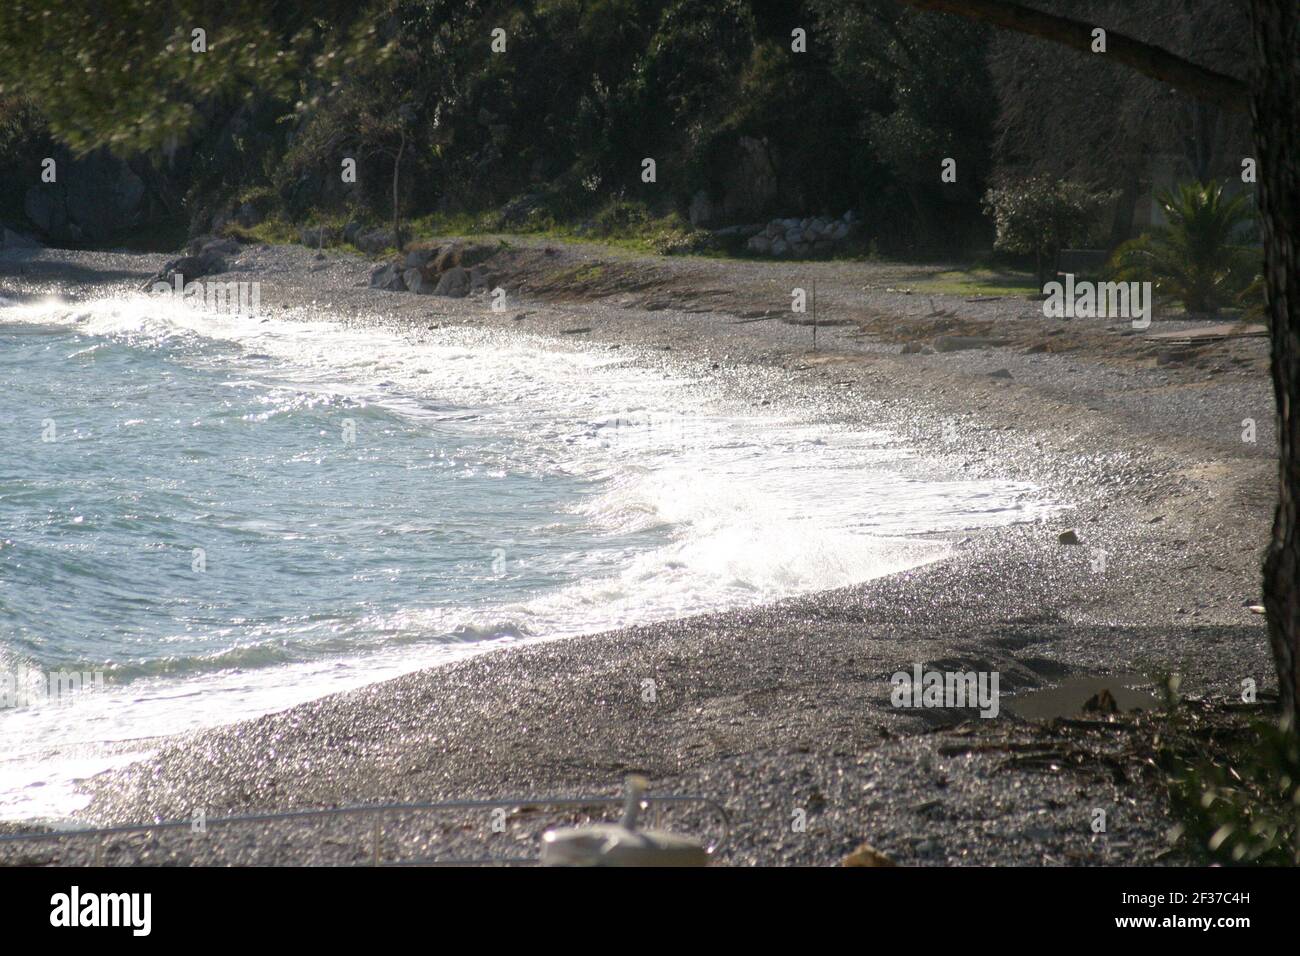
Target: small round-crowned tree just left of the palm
(1042, 215)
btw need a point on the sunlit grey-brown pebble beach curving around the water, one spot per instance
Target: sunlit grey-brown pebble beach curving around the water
(787, 707)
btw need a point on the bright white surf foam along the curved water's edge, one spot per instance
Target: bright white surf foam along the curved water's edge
(760, 508)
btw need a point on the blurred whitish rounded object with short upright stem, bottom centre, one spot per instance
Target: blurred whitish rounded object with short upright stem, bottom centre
(622, 845)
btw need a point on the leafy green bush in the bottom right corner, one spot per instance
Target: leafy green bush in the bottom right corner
(1243, 807)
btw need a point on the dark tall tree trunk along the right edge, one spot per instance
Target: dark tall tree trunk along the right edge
(1276, 110)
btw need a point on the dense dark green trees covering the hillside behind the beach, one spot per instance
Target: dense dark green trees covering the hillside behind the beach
(562, 122)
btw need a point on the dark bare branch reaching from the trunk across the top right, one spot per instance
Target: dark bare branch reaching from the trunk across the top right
(1197, 81)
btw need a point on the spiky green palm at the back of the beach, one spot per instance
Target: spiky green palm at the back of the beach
(1197, 258)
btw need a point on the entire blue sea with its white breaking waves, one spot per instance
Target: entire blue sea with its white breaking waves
(227, 516)
